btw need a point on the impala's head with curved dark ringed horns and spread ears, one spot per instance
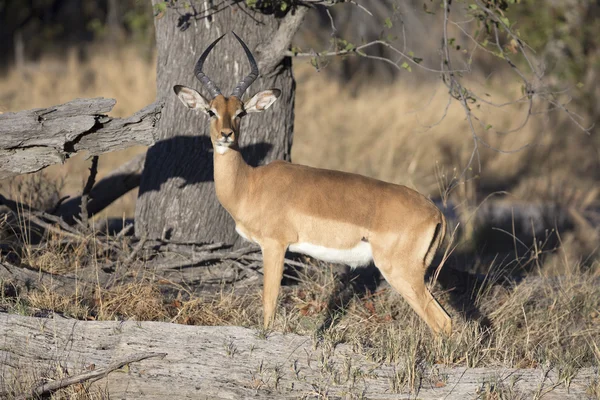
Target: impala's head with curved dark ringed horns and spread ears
(225, 112)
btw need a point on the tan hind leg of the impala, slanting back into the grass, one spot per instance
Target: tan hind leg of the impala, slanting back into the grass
(410, 283)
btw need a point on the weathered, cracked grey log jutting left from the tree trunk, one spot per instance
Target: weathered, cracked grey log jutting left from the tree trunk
(34, 139)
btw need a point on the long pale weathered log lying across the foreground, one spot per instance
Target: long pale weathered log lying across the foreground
(234, 362)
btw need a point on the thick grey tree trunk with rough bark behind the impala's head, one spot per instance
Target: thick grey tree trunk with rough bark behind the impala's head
(177, 199)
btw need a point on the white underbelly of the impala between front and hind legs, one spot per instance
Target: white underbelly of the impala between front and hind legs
(357, 256)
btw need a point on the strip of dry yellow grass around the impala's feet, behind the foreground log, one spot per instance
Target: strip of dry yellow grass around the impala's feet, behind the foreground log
(539, 322)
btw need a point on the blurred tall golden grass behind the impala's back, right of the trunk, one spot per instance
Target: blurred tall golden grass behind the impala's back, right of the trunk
(409, 133)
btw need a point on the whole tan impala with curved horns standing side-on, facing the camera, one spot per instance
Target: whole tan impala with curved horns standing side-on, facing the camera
(330, 215)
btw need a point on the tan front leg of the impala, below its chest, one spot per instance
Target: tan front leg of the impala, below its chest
(273, 256)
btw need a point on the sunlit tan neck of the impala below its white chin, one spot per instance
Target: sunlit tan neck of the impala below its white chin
(231, 179)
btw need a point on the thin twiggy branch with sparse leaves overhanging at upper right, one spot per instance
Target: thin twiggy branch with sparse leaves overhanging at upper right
(494, 34)
